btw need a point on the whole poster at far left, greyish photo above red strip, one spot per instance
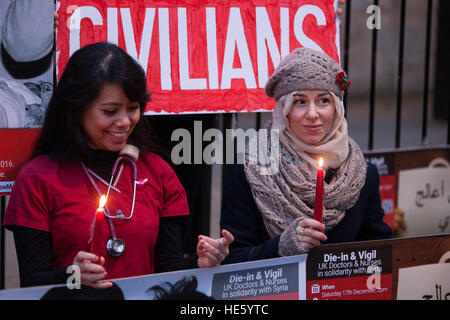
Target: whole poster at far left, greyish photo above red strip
(26, 80)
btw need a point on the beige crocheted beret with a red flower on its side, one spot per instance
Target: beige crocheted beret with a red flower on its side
(304, 69)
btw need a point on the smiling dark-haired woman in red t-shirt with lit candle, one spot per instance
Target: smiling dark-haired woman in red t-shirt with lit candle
(96, 110)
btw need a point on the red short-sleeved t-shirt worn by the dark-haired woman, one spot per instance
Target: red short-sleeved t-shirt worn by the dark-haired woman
(58, 197)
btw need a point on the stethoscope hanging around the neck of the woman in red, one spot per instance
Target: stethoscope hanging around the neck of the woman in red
(115, 246)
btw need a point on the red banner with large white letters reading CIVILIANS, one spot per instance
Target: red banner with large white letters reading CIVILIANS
(201, 56)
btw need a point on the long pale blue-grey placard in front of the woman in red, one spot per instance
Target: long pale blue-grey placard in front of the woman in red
(279, 278)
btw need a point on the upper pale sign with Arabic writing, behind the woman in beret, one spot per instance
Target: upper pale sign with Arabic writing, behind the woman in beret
(424, 196)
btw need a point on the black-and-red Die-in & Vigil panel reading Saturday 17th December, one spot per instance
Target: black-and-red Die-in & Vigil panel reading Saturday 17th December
(349, 273)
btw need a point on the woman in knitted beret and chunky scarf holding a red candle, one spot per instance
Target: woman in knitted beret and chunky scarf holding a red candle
(271, 214)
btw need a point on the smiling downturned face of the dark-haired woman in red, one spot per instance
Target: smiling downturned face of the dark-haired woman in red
(109, 120)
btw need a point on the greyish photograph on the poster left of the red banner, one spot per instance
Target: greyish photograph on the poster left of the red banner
(26, 64)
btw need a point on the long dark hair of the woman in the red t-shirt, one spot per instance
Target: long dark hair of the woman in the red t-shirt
(87, 71)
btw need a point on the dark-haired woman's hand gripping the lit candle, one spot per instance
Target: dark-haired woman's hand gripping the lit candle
(92, 270)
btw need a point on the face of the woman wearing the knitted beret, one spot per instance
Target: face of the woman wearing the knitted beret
(312, 115)
